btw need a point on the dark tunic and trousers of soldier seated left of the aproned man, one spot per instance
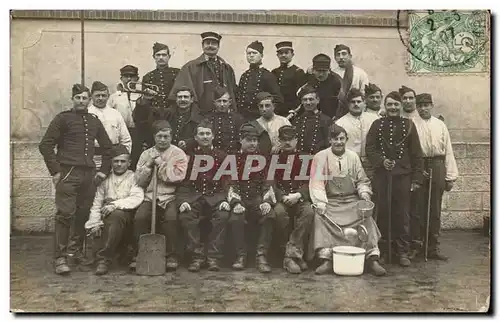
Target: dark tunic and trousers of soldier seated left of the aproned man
(301, 211)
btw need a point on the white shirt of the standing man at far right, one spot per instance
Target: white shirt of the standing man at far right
(435, 141)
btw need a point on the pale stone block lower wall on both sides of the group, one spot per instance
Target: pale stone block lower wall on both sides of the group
(463, 208)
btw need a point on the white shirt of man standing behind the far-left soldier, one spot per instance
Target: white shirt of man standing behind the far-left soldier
(114, 125)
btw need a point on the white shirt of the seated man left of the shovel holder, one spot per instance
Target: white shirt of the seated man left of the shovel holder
(123, 188)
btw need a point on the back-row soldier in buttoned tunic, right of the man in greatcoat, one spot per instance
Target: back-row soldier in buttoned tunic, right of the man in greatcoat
(254, 80)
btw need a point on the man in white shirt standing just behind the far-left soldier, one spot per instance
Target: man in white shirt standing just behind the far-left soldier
(110, 118)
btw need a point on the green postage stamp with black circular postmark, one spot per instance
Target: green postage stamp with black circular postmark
(448, 42)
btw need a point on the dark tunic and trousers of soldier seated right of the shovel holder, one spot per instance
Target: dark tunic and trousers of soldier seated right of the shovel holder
(204, 195)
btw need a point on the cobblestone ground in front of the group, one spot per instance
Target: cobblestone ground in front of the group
(462, 284)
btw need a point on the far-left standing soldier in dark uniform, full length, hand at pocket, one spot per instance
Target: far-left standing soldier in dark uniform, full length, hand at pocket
(73, 172)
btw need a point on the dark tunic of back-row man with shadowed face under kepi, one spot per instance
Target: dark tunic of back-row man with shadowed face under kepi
(328, 92)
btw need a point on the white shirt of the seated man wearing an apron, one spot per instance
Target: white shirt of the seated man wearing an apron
(326, 165)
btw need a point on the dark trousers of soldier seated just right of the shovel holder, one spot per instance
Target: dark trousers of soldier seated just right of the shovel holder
(201, 212)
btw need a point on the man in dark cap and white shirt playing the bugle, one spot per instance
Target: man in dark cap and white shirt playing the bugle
(124, 101)
